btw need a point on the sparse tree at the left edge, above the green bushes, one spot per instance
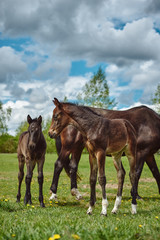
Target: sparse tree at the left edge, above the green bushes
(4, 116)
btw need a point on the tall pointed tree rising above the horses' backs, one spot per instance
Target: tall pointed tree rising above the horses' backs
(95, 93)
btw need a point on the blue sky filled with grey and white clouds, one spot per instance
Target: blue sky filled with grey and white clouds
(51, 48)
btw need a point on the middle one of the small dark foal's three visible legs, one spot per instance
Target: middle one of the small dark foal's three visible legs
(28, 179)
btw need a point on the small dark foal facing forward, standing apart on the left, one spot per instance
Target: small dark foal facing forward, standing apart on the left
(31, 150)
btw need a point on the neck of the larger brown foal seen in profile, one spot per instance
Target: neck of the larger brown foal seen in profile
(81, 118)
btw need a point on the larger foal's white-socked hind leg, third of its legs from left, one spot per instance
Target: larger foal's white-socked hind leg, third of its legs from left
(120, 176)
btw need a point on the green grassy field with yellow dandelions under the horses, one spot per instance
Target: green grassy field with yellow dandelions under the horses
(67, 217)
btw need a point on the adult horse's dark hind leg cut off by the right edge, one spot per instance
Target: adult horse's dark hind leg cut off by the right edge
(150, 160)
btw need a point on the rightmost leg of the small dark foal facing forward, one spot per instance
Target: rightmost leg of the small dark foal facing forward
(40, 180)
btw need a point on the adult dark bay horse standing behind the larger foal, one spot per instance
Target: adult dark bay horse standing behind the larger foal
(70, 142)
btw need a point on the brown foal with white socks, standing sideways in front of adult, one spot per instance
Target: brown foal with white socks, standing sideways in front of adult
(102, 136)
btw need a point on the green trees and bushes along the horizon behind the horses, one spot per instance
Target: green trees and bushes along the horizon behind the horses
(95, 93)
